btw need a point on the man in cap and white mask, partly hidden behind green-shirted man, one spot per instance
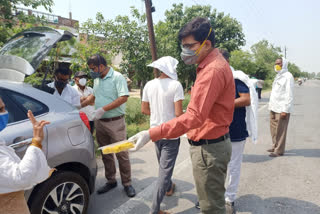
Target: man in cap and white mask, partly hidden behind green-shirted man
(84, 91)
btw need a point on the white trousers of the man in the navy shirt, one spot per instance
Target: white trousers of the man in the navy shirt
(234, 167)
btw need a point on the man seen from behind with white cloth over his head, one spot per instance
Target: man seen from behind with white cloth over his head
(162, 100)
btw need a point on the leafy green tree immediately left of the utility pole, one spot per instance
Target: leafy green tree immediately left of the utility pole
(127, 37)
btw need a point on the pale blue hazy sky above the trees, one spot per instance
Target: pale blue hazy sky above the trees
(294, 24)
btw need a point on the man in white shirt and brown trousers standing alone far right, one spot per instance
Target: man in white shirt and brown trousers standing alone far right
(280, 106)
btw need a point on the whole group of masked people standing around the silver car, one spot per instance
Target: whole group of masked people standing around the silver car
(221, 115)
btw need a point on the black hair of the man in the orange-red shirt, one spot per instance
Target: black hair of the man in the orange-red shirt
(199, 28)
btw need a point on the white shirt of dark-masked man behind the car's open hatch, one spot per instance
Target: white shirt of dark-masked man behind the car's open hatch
(69, 94)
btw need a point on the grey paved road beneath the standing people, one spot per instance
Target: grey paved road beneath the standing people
(287, 184)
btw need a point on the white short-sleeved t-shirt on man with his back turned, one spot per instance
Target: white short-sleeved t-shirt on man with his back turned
(161, 94)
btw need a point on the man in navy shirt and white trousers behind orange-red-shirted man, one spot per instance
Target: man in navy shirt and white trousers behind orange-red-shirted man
(245, 104)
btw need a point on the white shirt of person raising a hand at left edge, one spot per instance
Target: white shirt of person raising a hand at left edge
(17, 174)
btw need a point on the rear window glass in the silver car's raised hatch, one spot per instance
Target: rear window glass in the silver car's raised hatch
(31, 45)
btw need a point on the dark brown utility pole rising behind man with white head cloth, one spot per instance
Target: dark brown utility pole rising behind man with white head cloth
(149, 10)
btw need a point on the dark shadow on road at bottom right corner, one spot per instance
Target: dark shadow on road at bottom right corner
(254, 204)
